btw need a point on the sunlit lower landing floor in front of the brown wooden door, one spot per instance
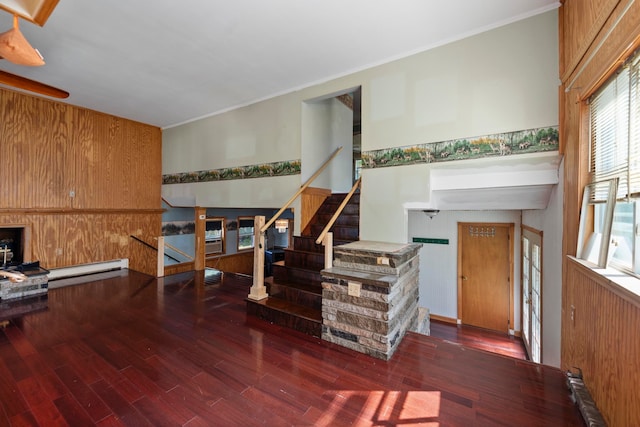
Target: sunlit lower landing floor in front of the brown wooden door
(480, 339)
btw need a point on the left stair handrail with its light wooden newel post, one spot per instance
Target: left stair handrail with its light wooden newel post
(258, 290)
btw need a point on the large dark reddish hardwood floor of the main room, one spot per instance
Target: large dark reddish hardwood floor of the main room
(133, 350)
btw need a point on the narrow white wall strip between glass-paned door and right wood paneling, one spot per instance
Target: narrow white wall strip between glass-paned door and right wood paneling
(550, 222)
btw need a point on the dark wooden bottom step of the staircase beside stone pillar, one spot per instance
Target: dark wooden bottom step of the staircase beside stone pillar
(284, 313)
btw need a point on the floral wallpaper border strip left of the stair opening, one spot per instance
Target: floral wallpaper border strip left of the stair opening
(283, 168)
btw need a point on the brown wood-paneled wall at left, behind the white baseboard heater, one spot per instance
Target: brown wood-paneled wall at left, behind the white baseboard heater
(81, 182)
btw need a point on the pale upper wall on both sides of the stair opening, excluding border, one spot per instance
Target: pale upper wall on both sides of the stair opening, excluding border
(499, 81)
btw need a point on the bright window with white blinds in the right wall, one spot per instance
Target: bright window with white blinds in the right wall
(615, 153)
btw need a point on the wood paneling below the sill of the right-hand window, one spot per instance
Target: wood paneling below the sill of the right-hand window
(600, 336)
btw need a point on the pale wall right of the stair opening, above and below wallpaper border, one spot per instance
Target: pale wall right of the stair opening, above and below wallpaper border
(501, 80)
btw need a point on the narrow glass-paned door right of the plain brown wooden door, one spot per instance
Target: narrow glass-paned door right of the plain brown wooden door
(532, 292)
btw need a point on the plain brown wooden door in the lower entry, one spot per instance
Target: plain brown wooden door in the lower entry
(485, 266)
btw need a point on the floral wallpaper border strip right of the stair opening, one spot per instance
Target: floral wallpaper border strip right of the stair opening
(501, 144)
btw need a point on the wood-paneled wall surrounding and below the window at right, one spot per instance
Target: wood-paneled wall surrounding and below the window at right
(601, 337)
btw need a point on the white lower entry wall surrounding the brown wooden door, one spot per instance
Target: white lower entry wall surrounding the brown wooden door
(439, 263)
